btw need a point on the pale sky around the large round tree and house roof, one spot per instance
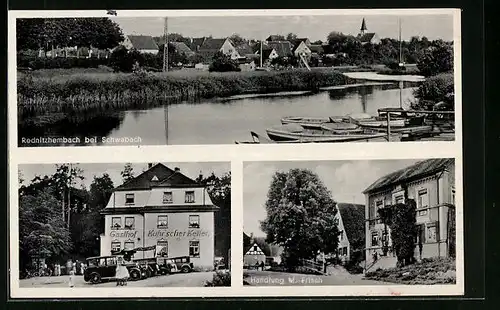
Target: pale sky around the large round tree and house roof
(346, 180)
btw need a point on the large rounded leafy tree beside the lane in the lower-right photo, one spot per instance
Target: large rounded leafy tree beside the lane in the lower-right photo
(301, 216)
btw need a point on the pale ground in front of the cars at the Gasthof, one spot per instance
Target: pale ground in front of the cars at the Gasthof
(194, 279)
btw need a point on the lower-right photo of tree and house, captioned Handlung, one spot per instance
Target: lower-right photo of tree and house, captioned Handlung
(351, 223)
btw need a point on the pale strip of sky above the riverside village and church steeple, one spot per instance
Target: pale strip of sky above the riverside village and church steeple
(312, 27)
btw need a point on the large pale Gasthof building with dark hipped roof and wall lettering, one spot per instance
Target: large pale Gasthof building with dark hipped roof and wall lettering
(164, 208)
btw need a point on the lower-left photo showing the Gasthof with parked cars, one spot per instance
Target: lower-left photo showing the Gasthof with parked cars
(132, 224)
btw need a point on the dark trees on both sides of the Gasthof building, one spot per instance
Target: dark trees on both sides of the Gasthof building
(59, 220)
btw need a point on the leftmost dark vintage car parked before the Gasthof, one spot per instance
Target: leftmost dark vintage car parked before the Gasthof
(104, 267)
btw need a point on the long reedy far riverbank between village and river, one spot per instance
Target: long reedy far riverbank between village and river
(88, 91)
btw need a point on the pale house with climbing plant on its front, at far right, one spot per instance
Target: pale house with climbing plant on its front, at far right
(431, 184)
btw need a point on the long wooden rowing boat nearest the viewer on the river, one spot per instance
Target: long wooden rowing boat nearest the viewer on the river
(294, 132)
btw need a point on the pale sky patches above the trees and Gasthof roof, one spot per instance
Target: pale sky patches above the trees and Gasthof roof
(191, 170)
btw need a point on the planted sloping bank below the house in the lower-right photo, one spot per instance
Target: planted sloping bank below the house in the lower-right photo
(428, 271)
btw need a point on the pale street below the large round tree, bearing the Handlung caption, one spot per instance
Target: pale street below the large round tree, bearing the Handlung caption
(272, 278)
